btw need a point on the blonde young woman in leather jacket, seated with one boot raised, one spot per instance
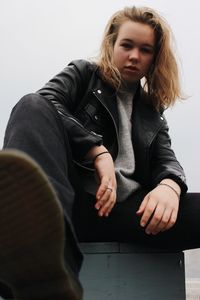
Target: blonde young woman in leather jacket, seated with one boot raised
(95, 139)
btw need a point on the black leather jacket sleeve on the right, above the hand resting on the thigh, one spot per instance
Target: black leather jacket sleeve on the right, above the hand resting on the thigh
(164, 163)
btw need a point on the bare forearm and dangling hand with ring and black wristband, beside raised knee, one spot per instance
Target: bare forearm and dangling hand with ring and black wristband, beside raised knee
(105, 173)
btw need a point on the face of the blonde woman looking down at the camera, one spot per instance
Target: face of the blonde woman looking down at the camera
(134, 50)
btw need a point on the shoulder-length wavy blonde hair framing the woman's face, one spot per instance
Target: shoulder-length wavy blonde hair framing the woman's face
(162, 81)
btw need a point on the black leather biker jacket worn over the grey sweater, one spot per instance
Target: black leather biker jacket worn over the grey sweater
(88, 108)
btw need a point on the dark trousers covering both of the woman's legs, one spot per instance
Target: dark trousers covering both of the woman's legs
(36, 128)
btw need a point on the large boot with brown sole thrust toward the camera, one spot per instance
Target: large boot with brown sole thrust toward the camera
(32, 233)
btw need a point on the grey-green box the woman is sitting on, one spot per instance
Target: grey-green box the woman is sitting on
(115, 271)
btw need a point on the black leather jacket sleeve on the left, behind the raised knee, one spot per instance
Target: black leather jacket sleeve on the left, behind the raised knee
(66, 91)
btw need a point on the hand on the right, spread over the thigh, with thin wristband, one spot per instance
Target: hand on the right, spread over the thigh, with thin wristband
(159, 209)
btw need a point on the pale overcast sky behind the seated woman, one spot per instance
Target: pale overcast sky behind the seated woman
(40, 37)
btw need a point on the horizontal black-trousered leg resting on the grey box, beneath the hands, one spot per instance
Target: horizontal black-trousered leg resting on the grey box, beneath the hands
(123, 224)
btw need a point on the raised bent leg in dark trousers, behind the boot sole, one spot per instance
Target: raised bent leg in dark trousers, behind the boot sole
(35, 128)
